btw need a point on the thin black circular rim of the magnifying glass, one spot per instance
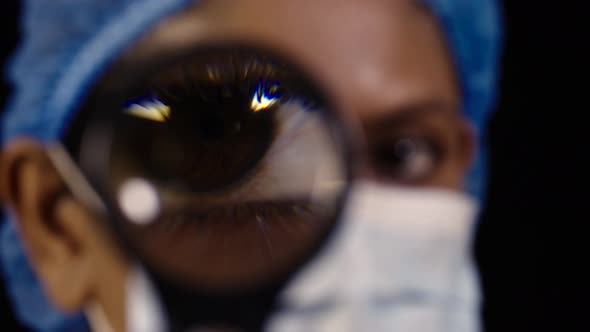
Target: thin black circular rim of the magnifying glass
(93, 168)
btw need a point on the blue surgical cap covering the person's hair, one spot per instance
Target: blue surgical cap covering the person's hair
(66, 44)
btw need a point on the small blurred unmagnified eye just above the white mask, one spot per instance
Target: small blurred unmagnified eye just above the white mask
(407, 159)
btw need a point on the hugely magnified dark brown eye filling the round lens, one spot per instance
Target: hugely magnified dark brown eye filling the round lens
(224, 168)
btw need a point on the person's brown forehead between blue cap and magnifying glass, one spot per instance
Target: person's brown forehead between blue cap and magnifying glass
(374, 54)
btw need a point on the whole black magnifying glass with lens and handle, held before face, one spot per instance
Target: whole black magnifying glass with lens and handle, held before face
(222, 170)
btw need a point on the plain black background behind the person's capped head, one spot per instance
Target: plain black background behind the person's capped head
(532, 247)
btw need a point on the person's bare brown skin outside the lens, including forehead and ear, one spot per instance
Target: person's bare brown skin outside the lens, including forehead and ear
(383, 61)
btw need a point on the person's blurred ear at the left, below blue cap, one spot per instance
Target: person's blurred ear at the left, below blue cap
(58, 234)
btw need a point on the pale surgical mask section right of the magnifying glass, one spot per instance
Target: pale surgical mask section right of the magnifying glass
(400, 261)
